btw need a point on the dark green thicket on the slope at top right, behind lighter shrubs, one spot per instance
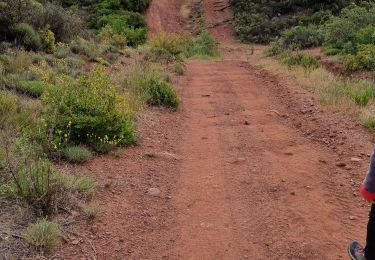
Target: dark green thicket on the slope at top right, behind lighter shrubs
(260, 21)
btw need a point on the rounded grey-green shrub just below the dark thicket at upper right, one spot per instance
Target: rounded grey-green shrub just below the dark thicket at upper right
(301, 37)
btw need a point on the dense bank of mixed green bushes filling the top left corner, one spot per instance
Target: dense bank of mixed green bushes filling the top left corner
(36, 25)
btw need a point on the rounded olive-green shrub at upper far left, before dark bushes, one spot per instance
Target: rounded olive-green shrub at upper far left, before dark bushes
(26, 36)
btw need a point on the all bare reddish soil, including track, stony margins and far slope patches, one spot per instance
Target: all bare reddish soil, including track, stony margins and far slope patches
(251, 167)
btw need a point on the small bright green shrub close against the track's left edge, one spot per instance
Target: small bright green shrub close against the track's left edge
(160, 93)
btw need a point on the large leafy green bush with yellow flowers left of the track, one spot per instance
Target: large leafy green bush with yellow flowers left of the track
(88, 111)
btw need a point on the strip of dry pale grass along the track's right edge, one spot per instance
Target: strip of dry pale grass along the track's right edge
(353, 96)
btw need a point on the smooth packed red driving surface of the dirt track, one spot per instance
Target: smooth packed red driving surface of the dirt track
(252, 187)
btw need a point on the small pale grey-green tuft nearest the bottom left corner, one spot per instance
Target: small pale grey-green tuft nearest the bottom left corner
(43, 234)
